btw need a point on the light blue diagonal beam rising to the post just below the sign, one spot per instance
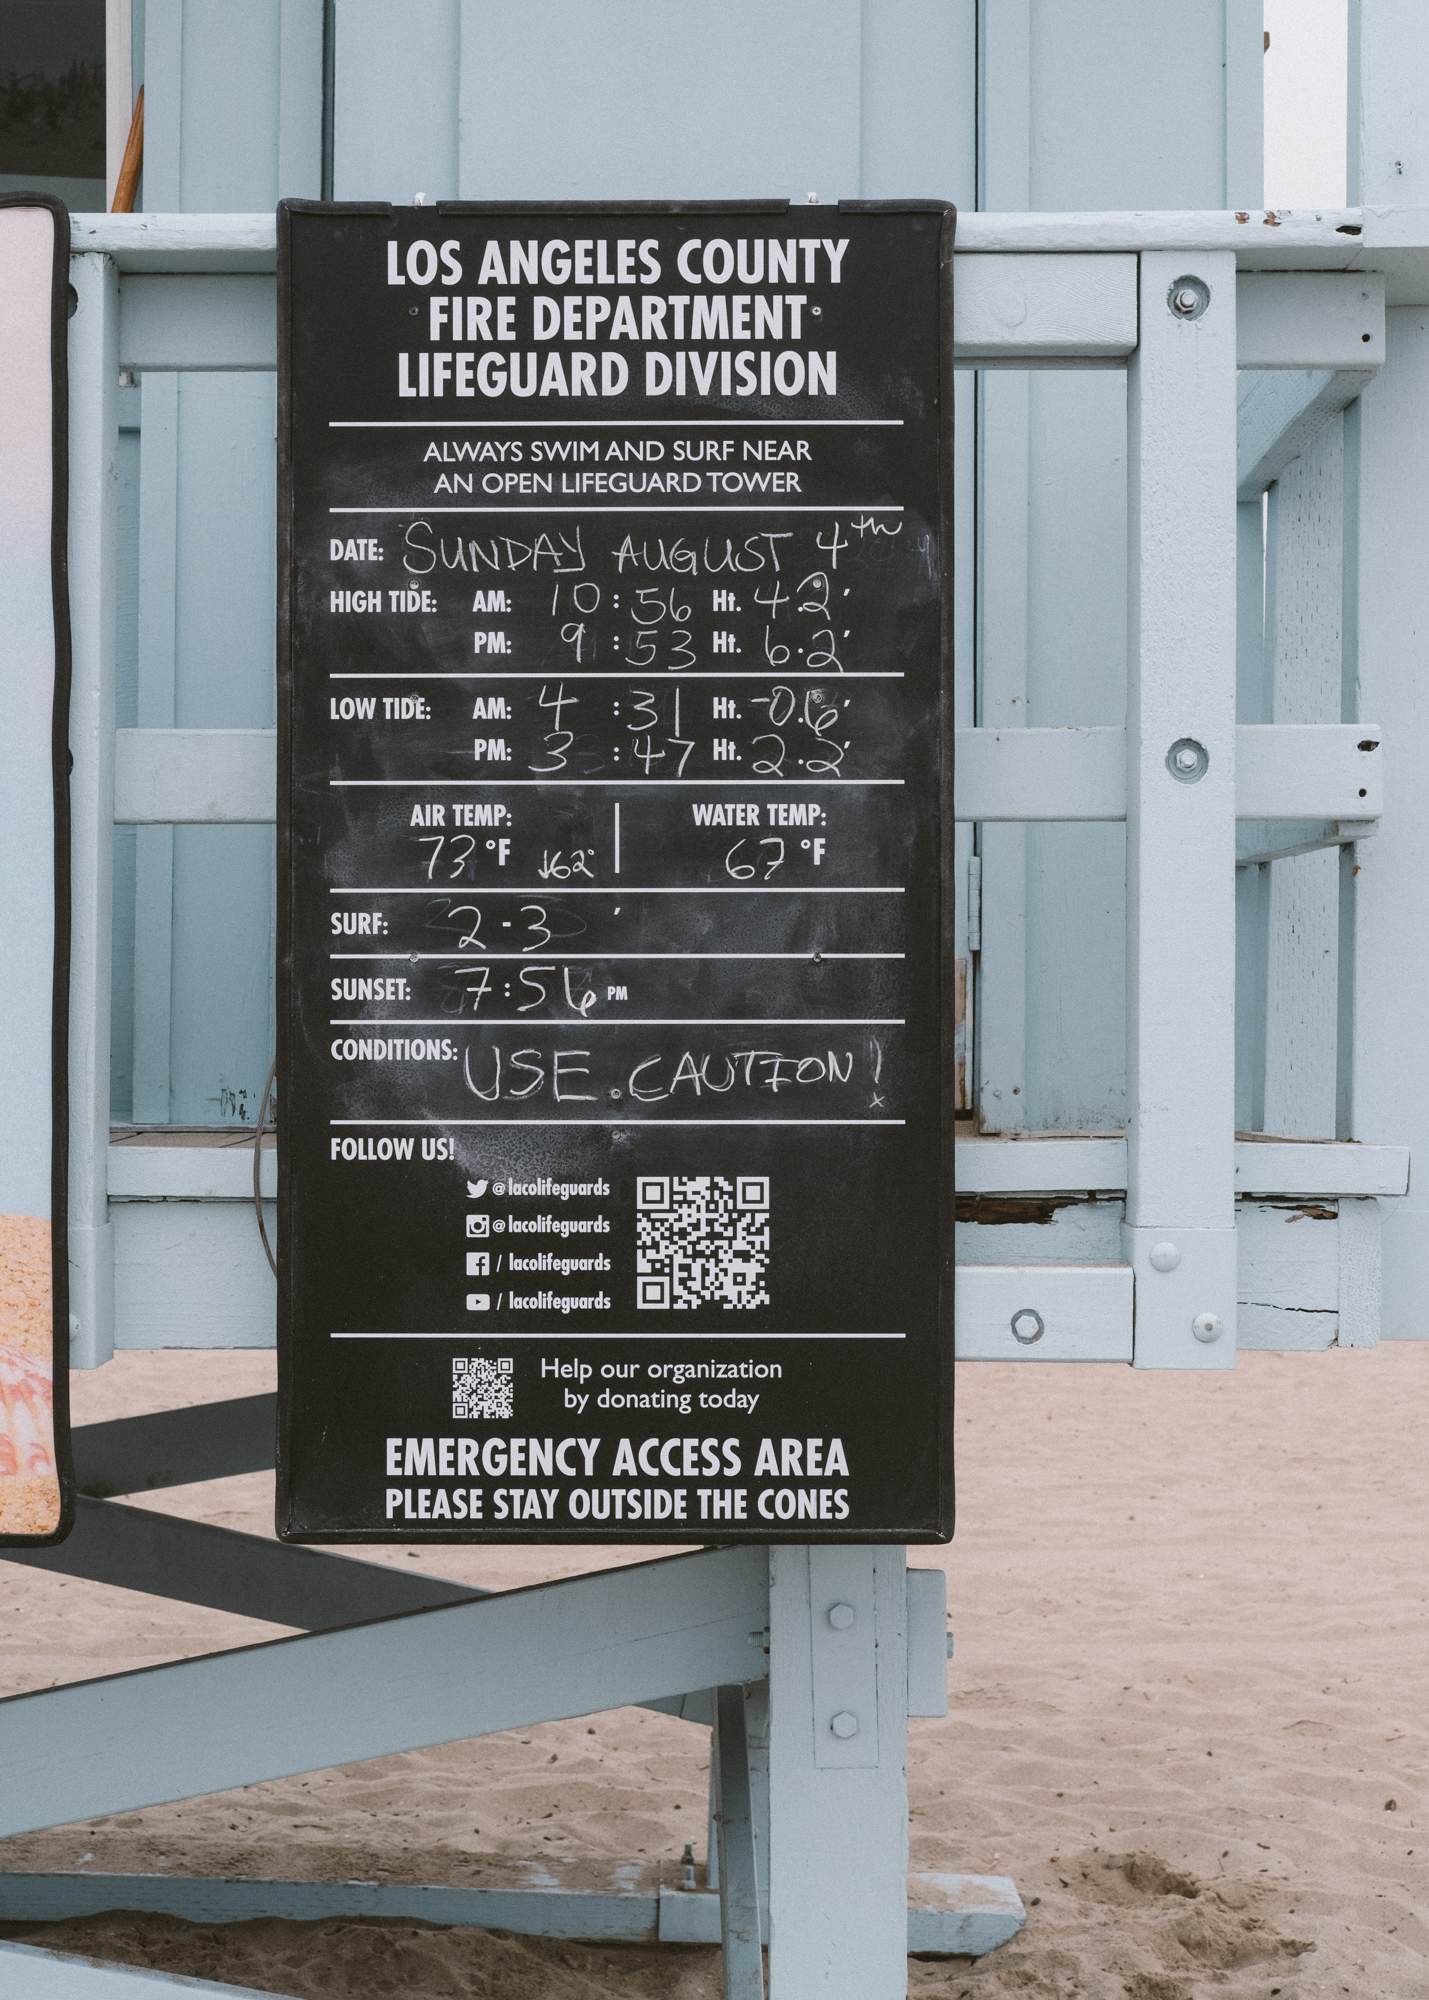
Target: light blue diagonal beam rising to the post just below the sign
(607, 1641)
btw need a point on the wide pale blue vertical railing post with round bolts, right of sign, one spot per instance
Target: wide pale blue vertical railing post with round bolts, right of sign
(1180, 1233)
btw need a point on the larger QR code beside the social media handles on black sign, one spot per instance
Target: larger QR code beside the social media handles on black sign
(701, 1241)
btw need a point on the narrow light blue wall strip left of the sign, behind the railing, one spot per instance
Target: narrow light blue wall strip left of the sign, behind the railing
(233, 121)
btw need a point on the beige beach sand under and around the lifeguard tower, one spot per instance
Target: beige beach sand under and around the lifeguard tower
(1190, 1713)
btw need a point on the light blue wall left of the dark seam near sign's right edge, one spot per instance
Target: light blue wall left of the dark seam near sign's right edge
(543, 99)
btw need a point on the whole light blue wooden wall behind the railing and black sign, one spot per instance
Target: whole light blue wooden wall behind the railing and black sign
(1006, 103)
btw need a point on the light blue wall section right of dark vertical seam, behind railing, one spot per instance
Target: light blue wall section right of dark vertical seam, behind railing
(1100, 105)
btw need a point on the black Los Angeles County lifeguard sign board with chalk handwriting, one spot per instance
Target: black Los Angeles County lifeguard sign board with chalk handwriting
(615, 805)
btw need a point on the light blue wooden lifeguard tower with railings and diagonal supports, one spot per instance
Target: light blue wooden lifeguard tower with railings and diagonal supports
(1190, 851)
